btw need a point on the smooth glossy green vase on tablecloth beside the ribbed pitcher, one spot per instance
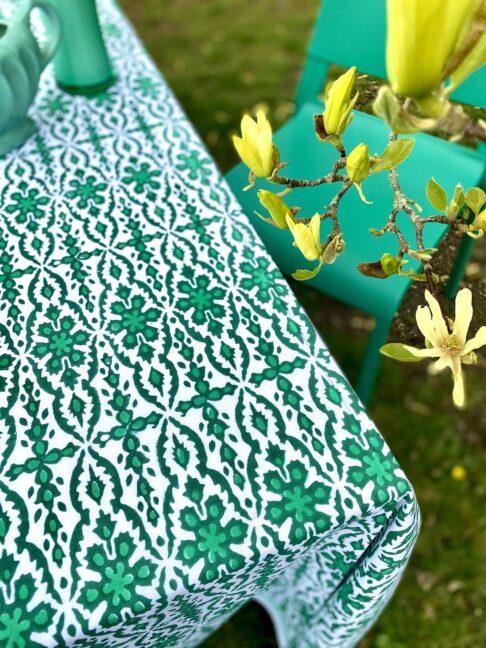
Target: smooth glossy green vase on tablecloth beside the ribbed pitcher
(81, 64)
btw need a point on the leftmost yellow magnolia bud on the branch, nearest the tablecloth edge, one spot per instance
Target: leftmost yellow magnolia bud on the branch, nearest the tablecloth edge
(255, 146)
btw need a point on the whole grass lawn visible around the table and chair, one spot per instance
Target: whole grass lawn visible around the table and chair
(222, 57)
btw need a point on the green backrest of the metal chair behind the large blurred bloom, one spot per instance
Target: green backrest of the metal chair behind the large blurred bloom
(353, 32)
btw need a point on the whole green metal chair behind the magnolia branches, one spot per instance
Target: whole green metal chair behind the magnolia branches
(353, 33)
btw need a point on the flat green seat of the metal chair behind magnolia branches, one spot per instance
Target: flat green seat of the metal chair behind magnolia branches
(449, 163)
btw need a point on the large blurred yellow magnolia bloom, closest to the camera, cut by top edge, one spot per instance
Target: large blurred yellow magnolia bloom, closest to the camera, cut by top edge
(422, 35)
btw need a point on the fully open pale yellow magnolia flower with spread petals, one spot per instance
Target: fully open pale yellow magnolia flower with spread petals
(450, 349)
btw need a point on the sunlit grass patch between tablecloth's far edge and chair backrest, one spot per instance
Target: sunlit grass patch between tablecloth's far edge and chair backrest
(222, 57)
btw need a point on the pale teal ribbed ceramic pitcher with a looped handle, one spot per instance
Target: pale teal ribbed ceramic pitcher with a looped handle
(22, 61)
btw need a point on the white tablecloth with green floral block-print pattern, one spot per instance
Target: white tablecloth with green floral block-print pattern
(175, 438)
